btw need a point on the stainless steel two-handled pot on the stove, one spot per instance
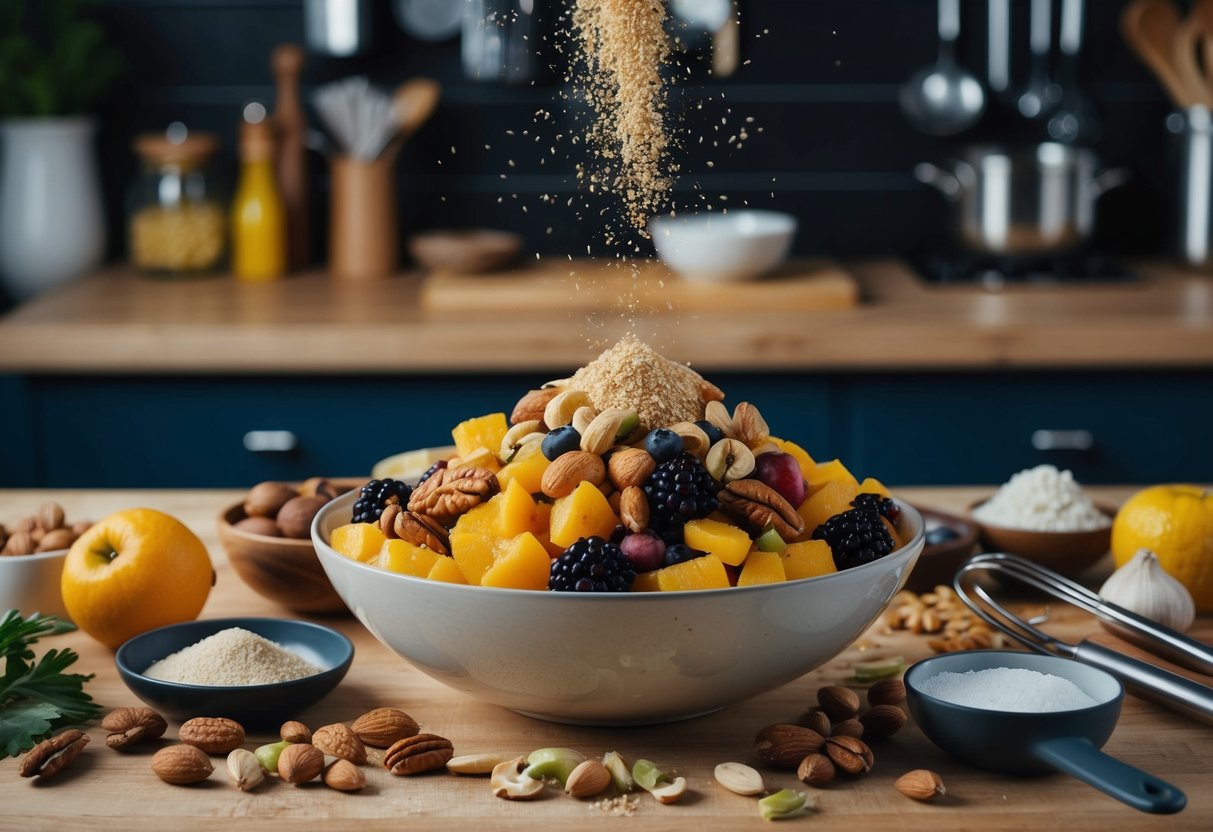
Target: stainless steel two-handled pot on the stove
(1037, 201)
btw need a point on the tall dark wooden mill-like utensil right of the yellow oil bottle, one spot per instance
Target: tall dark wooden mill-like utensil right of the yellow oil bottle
(291, 123)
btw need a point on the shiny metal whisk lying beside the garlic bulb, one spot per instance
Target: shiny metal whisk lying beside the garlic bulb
(1172, 691)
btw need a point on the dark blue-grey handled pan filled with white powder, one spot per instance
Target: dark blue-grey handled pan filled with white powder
(1029, 714)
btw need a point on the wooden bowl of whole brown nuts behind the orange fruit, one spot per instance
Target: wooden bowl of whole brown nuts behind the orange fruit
(267, 538)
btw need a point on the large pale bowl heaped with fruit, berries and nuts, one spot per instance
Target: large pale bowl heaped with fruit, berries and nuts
(608, 556)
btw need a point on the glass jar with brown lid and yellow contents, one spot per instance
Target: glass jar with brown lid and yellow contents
(178, 219)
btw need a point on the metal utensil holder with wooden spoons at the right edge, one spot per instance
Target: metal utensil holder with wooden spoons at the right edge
(1195, 186)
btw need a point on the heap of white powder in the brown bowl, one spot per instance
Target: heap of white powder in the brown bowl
(1043, 499)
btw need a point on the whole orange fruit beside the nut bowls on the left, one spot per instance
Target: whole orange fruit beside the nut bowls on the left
(136, 571)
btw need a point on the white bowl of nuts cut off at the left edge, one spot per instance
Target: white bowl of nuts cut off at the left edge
(32, 555)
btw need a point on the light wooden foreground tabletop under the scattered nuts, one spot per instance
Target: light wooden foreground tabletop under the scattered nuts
(111, 790)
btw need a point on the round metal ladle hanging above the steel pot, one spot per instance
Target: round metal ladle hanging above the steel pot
(944, 99)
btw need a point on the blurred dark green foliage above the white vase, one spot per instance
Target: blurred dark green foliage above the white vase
(54, 61)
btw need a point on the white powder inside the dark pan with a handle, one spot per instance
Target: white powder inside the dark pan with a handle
(1007, 689)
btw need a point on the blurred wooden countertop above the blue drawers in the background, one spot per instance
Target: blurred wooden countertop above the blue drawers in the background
(119, 323)
